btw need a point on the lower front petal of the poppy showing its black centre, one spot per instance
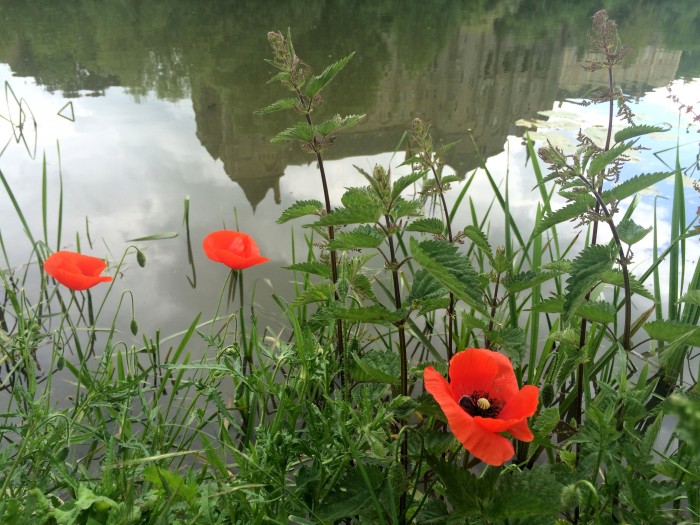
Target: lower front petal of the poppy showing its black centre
(483, 444)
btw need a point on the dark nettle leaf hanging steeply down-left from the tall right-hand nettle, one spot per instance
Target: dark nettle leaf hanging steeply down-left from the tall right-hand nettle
(586, 272)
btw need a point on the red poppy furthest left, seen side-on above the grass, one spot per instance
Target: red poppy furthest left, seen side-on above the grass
(75, 270)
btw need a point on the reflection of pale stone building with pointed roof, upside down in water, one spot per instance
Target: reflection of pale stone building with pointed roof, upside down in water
(480, 81)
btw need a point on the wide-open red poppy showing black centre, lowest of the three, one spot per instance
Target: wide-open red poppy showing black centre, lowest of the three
(481, 400)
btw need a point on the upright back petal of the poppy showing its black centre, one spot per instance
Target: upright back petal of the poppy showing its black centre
(477, 369)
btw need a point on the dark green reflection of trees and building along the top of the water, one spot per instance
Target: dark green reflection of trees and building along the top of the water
(476, 65)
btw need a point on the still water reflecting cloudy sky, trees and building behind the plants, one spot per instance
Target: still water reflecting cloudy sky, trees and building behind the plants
(152, 104)
